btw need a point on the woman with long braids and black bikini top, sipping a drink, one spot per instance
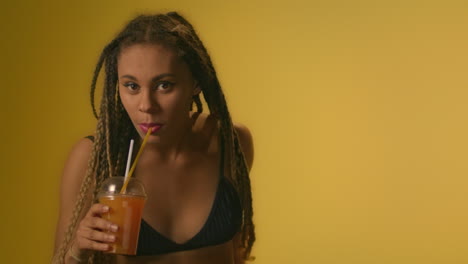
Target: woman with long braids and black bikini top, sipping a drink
(195, 166)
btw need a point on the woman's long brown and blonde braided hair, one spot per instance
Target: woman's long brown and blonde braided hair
(115, 129)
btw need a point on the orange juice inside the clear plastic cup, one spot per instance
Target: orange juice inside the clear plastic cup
(125, 211)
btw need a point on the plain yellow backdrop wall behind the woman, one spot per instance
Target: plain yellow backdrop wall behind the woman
(358, 110)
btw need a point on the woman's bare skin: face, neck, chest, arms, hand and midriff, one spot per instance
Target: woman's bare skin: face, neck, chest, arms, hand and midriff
(179, 166)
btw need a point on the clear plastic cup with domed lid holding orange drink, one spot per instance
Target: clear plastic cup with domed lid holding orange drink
(125, 210)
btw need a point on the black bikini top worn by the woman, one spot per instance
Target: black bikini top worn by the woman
(223, 222)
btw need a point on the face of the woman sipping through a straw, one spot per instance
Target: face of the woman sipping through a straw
(156, 89)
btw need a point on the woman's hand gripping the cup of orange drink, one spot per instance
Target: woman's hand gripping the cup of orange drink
(93, 233)
